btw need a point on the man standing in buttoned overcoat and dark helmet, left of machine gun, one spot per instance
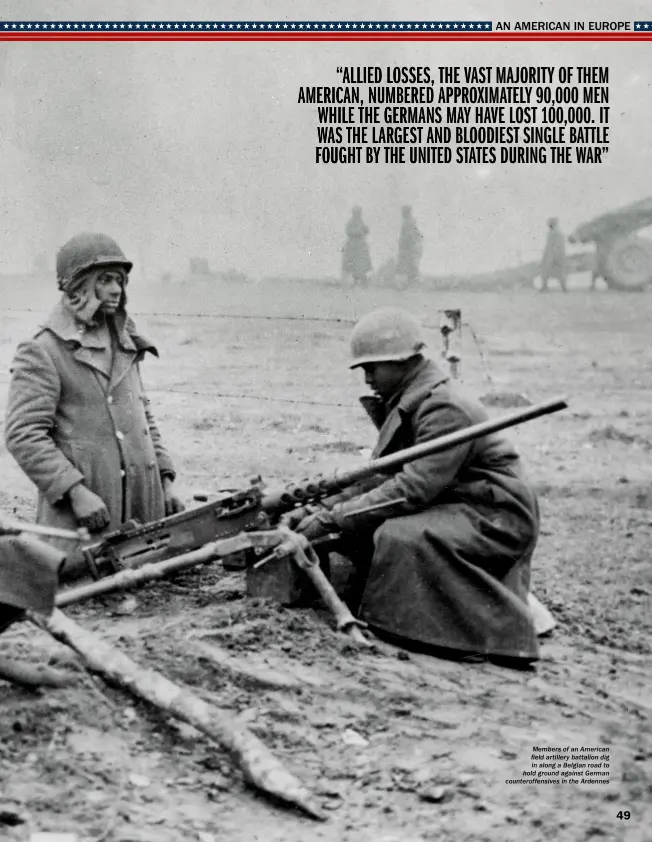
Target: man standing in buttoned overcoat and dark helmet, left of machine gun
(78, 420)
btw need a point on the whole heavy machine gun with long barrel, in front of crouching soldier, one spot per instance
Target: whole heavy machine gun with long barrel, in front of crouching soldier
(240, 528)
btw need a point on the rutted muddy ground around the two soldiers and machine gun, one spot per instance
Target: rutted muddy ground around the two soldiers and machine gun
(396, 747)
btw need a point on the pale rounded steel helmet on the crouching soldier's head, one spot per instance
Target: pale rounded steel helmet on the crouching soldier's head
(386, 335)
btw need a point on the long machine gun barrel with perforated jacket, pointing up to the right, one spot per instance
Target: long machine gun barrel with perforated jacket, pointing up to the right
(285, 499)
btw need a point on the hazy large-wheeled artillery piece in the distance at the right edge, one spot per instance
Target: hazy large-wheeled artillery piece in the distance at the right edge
(623, 258)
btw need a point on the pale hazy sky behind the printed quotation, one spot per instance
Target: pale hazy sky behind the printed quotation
(201, 149)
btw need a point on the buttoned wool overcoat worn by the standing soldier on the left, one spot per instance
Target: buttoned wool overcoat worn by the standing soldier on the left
(67, 421)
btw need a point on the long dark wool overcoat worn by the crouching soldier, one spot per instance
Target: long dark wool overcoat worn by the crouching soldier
(451, 567)
